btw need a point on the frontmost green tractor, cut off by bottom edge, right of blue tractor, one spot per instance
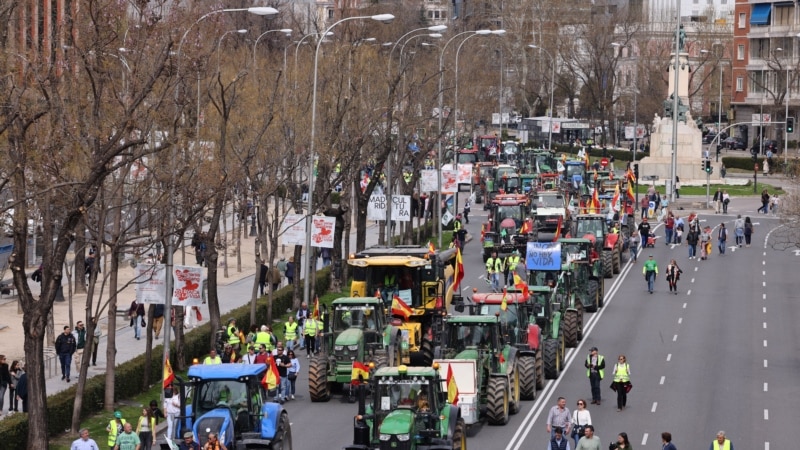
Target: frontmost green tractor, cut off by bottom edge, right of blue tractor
(407, 408)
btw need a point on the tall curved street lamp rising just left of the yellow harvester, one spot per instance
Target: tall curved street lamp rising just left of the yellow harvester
(385, 18)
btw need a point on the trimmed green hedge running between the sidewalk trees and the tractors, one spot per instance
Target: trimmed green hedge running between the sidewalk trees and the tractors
(128, 376)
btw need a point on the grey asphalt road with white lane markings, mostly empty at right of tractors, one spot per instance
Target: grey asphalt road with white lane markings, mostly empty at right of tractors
(720, 355)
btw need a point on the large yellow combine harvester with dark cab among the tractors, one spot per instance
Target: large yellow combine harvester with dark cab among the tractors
(422, 279)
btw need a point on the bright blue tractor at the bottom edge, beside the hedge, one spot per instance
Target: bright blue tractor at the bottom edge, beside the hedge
(231, 401)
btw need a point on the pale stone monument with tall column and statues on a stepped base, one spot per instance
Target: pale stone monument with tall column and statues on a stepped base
(690, 151)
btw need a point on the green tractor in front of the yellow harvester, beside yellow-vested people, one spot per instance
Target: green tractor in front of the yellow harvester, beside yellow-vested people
(357, 331)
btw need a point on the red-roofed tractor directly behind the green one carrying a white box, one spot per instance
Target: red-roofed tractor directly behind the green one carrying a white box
(519, 322)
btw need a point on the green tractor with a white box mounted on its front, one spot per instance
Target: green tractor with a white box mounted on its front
(484, 367)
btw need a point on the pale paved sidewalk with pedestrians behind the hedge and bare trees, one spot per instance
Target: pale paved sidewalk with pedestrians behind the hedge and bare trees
(234, 292)
